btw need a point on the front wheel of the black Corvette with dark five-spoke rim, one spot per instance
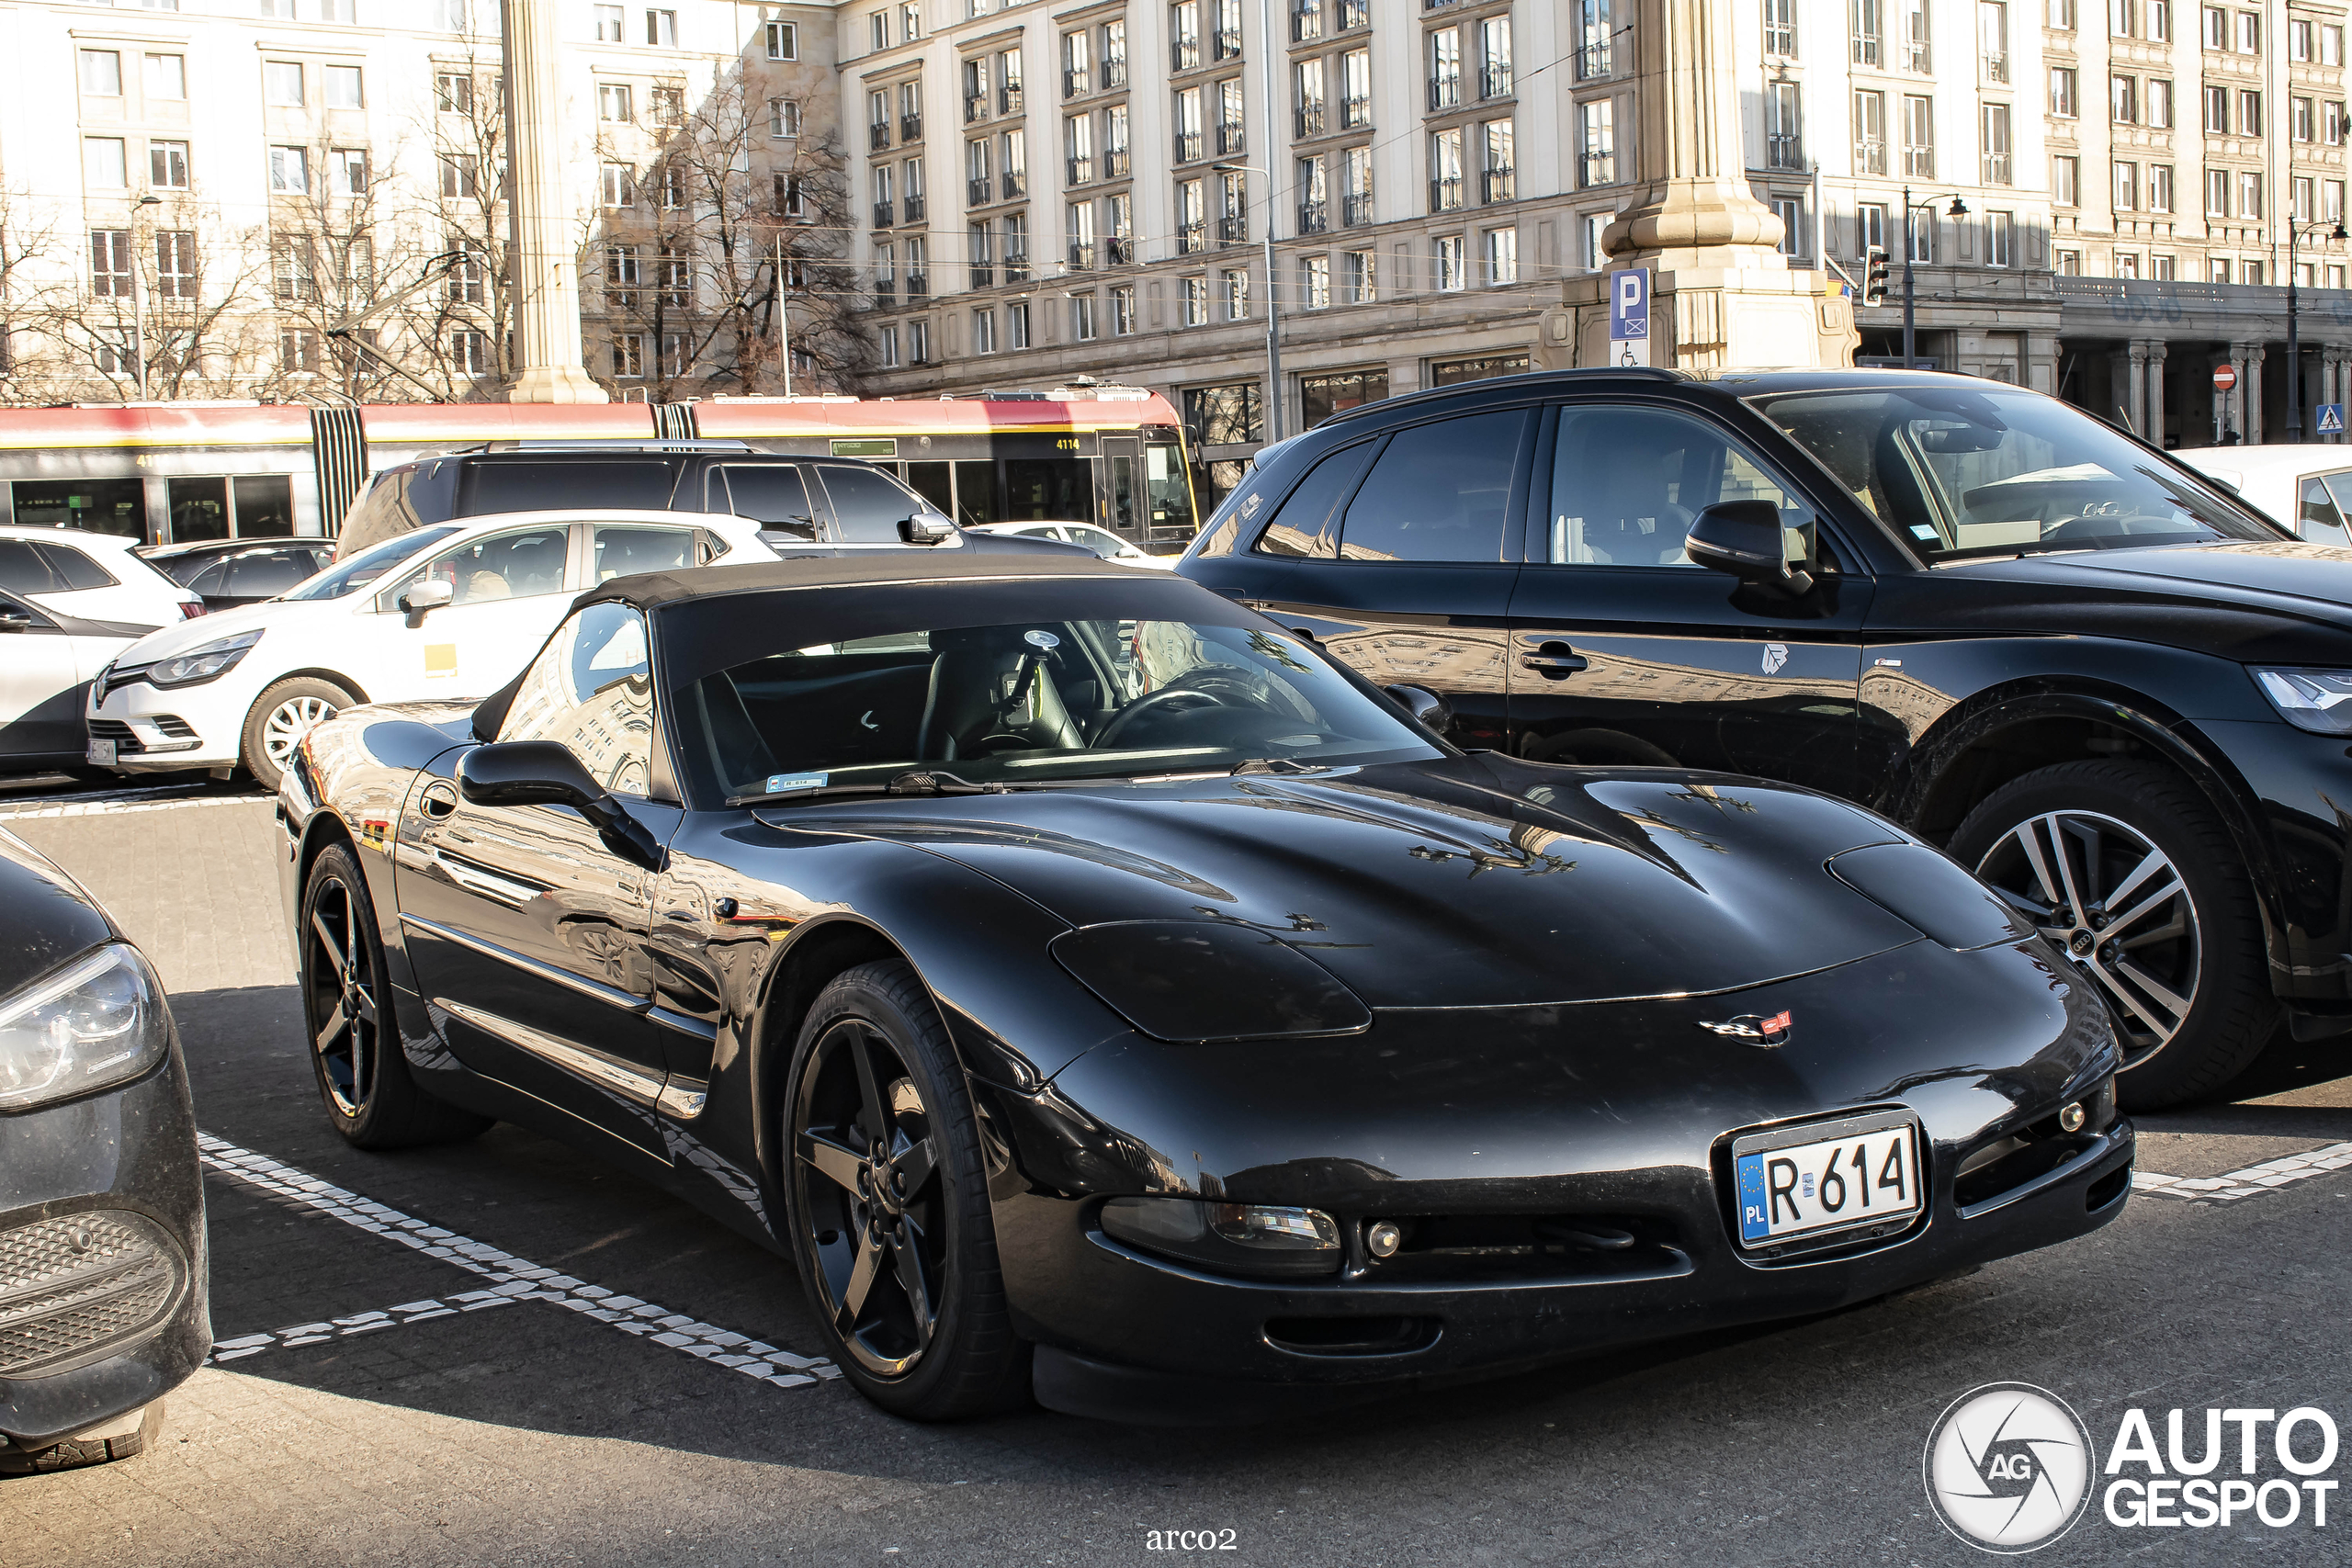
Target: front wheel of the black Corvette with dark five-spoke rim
(890, 1205)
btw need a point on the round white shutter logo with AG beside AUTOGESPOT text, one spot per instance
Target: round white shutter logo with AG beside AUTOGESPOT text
(2010, 1468)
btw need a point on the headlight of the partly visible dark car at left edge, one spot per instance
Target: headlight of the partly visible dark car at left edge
(91, 1026)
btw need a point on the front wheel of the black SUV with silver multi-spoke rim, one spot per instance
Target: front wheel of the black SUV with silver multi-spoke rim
(2132, 873)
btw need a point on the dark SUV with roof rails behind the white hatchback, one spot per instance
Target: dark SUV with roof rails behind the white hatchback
(803, 507)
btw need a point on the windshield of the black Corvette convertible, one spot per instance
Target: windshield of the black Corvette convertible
(1029, 702)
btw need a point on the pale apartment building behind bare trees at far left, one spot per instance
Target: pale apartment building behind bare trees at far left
(305, 199)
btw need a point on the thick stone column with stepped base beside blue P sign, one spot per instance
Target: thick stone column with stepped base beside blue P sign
(1720, 293)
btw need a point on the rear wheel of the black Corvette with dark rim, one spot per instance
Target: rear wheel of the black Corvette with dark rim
(363, 1078)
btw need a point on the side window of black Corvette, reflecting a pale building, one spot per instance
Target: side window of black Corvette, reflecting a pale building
(594, 692)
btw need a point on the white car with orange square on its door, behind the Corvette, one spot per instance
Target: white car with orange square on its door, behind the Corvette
(446, 612)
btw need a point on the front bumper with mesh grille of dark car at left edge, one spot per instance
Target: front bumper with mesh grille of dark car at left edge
(102, 1167)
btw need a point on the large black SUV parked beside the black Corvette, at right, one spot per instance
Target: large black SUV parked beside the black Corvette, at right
(2094, 676)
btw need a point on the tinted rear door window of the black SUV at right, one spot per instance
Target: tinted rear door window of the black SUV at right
(1441, 492)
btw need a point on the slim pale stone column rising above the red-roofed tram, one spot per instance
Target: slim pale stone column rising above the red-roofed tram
(542, 241)
